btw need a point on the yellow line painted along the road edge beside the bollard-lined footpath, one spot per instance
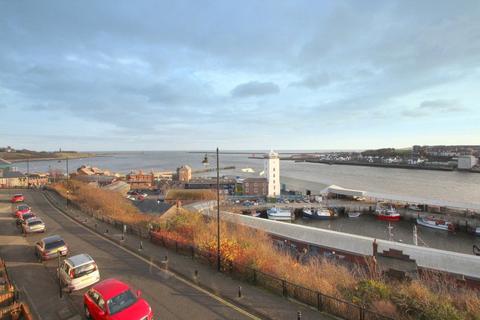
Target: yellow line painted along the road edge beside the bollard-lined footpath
(219, 299)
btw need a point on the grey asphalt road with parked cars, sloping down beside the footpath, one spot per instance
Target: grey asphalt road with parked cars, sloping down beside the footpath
(169, 297)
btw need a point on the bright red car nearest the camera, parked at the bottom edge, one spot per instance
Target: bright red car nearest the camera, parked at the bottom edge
(112, 299)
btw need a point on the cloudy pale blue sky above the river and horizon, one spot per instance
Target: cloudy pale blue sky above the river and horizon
(239, 75)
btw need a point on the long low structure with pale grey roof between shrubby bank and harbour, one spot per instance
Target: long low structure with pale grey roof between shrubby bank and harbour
(393, 257)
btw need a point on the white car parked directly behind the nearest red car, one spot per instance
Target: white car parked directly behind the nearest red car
(78, 272)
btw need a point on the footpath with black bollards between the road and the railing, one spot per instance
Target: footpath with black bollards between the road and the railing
(255, 300)
